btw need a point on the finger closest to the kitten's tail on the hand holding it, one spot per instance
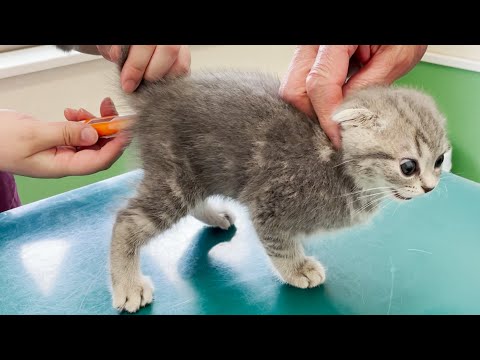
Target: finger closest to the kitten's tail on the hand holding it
(134, 68)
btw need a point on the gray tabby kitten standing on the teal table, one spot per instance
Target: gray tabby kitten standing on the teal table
(229, 133)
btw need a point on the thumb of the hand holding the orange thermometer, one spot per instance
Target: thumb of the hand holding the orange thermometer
(66, 133)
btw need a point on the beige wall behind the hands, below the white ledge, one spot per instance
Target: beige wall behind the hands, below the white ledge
(46, 93)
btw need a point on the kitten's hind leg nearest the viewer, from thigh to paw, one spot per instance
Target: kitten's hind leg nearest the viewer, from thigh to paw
(141, 220)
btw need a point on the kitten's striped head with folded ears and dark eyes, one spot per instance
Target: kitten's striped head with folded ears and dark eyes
(393, 139)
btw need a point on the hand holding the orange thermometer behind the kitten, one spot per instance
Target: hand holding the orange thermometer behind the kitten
(44, 149)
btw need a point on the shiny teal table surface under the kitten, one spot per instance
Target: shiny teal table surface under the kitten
(419, 257)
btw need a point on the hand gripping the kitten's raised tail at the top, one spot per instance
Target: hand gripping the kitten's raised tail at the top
(149, 62)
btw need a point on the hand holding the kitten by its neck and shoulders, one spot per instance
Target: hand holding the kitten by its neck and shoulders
(316, 81)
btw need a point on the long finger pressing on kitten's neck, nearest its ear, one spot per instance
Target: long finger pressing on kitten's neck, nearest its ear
(324, 85)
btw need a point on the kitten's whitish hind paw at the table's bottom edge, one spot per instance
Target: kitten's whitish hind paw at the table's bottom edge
(132, 296)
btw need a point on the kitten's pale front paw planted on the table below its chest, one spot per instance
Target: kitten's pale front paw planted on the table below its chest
(308, 273)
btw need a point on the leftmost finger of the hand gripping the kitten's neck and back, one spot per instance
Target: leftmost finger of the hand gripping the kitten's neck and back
(293, 88)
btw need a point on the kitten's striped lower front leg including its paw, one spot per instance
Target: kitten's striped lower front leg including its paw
(288, 258)
